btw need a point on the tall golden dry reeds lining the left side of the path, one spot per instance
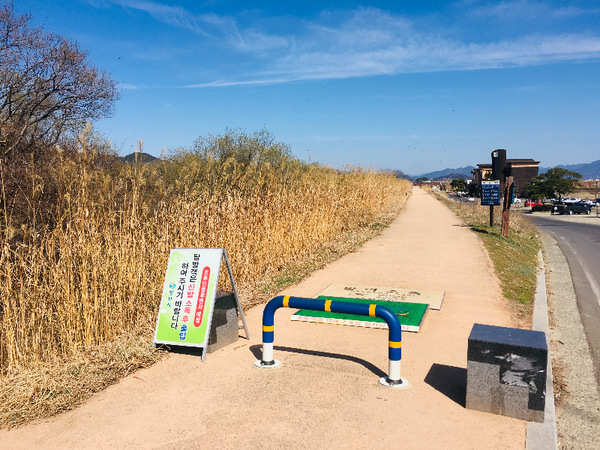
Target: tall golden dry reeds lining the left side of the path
(79, 290)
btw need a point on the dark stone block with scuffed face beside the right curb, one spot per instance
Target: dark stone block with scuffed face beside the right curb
(506, 372)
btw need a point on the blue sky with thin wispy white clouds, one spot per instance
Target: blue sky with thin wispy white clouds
(411, 85)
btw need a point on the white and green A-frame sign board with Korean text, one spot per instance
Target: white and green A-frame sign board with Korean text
(188, 297)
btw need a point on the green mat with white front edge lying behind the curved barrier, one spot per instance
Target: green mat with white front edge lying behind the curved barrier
(410, 315)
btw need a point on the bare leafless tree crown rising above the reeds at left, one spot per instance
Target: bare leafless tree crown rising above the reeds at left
(48, 87)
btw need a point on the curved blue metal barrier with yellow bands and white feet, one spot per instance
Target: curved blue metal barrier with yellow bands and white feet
(395, 330)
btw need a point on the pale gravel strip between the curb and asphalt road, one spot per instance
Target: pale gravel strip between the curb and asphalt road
(576, 392)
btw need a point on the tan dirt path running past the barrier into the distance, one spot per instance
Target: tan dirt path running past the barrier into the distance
(327, 394)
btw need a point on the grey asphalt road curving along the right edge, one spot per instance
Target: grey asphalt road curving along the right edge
(578, 237)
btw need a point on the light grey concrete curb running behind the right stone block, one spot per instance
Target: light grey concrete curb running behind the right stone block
(543, 436)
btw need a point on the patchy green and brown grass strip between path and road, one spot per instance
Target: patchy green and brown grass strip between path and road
(515, 258)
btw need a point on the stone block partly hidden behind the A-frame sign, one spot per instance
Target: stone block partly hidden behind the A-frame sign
(224, 327)
